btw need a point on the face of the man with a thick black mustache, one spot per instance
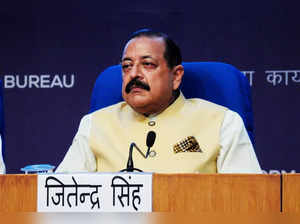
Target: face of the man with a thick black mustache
(148, 83)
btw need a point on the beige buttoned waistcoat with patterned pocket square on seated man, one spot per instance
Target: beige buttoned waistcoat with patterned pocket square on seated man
(114, 128)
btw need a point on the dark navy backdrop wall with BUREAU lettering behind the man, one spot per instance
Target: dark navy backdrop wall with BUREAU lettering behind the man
(51, 52)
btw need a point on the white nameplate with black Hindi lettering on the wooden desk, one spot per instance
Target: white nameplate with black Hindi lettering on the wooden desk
(95, 192)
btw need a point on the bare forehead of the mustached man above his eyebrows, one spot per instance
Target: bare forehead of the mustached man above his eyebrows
(144, 47)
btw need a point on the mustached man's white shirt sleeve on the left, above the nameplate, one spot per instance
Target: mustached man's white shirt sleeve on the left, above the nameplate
(79, 157)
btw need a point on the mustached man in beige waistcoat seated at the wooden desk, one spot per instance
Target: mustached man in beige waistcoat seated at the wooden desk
(192, 135)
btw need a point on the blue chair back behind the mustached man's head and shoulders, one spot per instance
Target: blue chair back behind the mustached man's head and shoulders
(213, 81)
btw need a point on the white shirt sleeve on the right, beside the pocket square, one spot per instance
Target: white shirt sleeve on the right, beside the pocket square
(237, 154)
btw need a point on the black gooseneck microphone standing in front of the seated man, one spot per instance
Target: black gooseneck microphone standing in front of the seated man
(149, 142)
